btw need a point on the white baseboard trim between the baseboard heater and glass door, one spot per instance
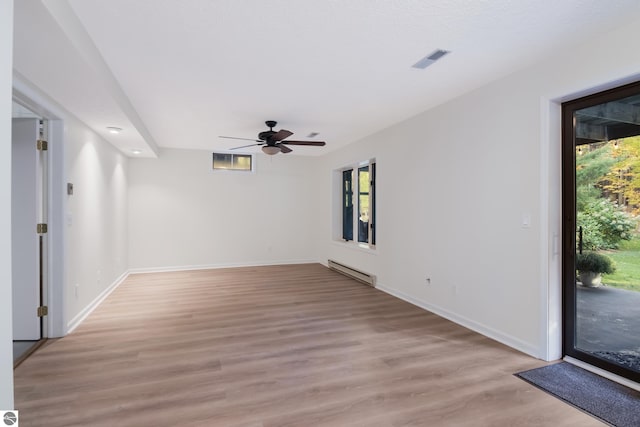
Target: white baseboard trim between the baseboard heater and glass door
(467, 323)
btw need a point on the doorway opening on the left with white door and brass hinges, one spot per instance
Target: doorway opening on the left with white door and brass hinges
(29, 240)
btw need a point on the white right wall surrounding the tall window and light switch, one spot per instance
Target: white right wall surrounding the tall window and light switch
(454, 185)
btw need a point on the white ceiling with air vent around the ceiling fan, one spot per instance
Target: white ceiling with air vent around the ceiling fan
(178, 73)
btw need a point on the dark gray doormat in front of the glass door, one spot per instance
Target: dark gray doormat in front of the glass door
(606, 400)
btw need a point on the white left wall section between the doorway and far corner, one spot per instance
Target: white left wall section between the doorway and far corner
(96, 237)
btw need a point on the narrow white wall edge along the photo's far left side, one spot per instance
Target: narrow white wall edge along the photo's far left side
(6, 346)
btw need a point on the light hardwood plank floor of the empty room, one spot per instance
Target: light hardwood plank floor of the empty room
(275, 346)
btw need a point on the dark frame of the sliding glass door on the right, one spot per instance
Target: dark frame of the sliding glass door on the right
(568, 246)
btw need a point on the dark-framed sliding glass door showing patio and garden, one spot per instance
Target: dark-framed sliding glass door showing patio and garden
(601, 237)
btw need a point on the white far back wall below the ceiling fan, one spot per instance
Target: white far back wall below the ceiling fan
(184, 215)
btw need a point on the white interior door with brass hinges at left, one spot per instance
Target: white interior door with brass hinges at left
(25, 241)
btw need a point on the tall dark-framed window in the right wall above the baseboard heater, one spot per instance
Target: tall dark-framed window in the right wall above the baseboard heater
(363, 217)
